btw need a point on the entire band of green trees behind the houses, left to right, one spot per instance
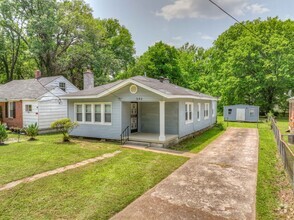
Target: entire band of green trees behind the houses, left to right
(246, 65)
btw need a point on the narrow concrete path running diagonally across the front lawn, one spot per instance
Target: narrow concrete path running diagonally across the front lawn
(56, 171)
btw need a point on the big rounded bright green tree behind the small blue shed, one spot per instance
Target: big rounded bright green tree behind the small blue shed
(254, 68)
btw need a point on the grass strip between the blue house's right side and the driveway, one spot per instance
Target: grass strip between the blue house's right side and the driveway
(198, 143)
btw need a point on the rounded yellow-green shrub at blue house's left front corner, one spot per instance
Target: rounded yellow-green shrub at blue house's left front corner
(65, 126)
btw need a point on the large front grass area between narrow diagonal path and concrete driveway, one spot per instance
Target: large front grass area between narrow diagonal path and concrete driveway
(95, 191)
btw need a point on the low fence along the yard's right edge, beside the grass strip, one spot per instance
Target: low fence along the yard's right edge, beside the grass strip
(286, 154)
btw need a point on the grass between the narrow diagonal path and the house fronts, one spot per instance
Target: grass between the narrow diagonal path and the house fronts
(26, 158)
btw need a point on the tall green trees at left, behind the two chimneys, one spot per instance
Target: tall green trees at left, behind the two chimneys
(60, 38)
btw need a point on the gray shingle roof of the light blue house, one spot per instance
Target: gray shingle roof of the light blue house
(165, 88)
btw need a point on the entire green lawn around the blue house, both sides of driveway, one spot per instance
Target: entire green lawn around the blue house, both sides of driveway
(99, 190)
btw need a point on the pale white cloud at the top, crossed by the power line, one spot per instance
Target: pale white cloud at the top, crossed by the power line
(204, 9)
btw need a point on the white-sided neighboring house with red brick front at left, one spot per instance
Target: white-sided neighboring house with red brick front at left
(25, 102)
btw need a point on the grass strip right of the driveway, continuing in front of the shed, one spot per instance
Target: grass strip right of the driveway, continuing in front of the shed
(269, 175)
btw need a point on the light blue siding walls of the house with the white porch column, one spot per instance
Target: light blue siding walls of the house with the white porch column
(148, 114)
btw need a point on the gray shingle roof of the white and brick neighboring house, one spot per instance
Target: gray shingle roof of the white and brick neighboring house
(25, 89)
